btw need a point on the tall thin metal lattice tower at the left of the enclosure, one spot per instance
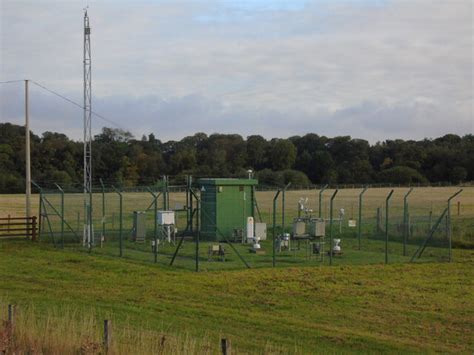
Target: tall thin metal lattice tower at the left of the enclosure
(88, 227)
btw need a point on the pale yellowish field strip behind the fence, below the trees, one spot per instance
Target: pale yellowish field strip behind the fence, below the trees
(422, 200)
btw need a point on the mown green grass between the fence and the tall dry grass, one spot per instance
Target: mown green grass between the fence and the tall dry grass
(397, 308)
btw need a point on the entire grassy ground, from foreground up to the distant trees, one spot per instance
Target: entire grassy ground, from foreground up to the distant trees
(302, 306)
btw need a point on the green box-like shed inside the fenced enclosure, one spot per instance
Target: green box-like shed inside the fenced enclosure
(225, 206)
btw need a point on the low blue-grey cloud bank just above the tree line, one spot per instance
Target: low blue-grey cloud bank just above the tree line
(181, 116)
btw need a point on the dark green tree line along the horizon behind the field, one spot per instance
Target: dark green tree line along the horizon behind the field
(121, 159)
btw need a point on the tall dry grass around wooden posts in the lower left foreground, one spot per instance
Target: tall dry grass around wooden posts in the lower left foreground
(66, 331)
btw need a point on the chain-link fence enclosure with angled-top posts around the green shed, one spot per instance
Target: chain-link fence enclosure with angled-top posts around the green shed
(204, 224)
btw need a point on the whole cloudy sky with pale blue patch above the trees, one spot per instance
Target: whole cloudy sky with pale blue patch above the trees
(371, 69)
